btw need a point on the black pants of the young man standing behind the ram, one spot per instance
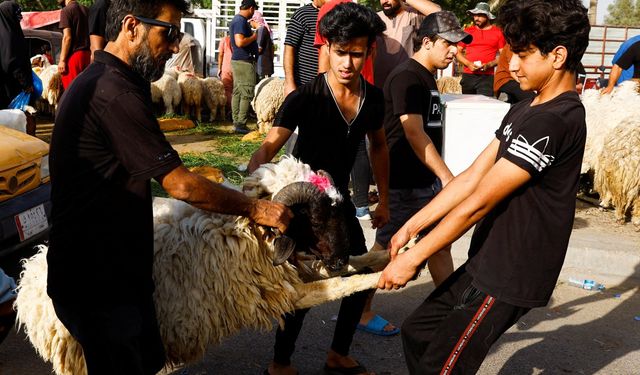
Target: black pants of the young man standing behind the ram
(350, 309)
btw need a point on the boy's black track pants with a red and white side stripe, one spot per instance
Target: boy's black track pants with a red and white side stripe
(454, 328)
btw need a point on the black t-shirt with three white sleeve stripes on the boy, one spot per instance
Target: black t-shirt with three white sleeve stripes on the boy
(517, 251)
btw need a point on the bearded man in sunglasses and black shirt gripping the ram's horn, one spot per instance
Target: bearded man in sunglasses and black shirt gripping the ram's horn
(106, 146)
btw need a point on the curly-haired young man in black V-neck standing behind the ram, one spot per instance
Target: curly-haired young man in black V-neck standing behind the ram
(333, 113)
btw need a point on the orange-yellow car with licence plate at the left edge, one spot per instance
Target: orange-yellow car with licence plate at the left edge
(25, 189)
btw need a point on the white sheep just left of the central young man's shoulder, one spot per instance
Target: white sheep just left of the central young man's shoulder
(267, 99)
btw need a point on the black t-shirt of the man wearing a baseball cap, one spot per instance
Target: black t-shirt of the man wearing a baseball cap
(410, 89)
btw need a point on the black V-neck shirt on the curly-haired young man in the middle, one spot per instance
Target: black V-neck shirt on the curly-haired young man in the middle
(325, 140)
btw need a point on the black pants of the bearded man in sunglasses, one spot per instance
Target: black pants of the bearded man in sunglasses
(118, 339)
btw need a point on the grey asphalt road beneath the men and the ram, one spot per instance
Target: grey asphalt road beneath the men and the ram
(580, 332)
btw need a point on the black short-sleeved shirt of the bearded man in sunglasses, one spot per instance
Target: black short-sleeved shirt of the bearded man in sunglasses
(105, 148)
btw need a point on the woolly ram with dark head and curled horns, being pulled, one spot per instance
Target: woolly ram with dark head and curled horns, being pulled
(215, 274)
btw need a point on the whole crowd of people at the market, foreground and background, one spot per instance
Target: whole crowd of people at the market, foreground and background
(360, 93)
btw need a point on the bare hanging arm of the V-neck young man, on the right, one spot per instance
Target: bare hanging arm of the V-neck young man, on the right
(379, 156)
